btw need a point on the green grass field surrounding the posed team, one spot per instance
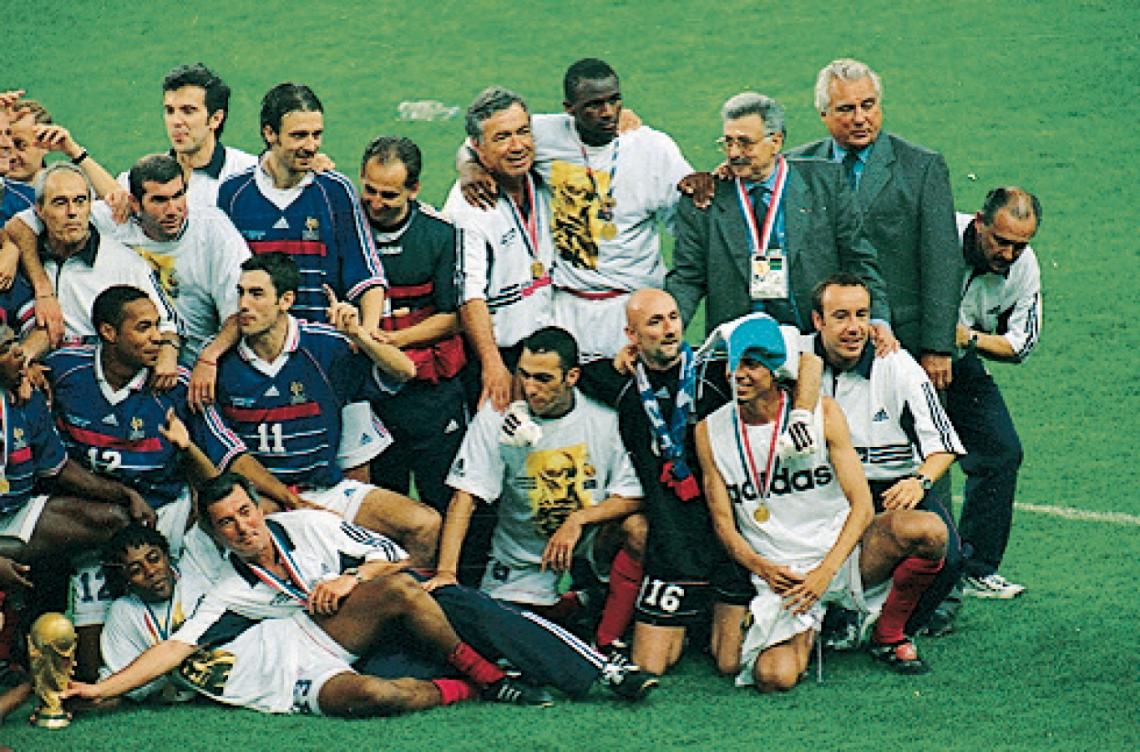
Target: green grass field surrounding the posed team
(1036, 94)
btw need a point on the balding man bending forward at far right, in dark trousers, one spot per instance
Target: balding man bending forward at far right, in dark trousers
(999, 320)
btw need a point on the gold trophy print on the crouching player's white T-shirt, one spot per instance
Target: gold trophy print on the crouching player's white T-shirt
(560, 480)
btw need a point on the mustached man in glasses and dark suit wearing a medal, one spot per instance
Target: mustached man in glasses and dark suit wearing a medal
(772, 232)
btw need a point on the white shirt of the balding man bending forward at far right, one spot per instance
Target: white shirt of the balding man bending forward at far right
(1006, 305)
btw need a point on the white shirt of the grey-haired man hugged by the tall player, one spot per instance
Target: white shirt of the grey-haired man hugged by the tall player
(495, 264)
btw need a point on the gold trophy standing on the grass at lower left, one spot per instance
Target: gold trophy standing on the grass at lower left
(52, 657)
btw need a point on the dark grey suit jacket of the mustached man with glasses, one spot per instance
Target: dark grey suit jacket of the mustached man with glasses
(711, 258)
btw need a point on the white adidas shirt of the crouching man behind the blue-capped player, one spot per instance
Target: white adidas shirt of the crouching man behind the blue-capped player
(892, 410)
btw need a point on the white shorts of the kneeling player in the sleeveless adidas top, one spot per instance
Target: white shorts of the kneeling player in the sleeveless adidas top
(772, 624)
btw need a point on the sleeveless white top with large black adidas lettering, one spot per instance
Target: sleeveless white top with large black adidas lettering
(807, 506)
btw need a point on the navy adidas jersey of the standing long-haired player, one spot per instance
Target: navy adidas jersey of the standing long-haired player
(319, 223)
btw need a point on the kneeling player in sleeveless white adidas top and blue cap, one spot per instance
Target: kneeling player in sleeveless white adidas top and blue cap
(804, 526)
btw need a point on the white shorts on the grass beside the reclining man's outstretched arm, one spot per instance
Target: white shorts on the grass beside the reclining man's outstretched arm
(279, 666)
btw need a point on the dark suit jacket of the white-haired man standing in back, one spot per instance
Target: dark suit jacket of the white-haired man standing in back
(908, 215)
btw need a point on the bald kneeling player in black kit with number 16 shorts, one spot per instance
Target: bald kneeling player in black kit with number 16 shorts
(682, 568)
